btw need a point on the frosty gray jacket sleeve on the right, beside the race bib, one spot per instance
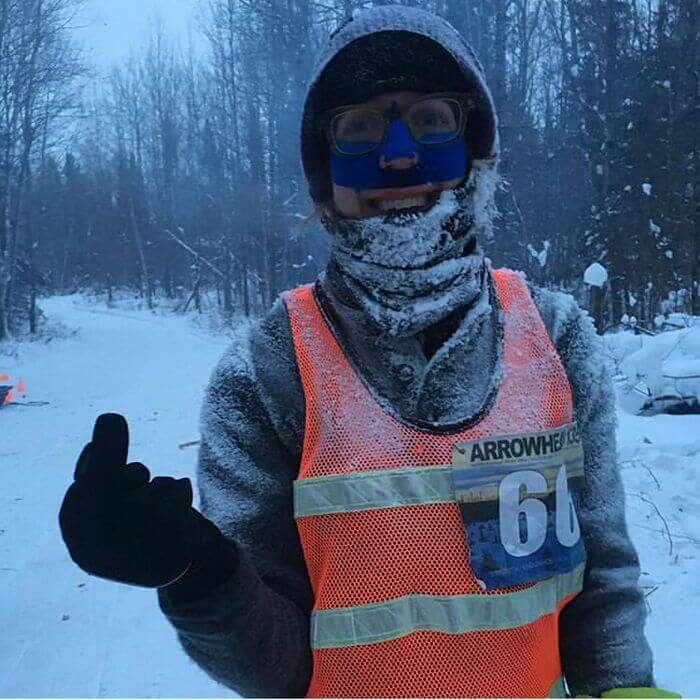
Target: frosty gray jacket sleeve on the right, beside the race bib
(602, 638)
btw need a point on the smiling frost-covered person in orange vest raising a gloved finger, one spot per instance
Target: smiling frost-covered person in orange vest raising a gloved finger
(407, 471)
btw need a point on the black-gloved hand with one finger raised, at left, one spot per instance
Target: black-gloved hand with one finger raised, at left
(120, 524)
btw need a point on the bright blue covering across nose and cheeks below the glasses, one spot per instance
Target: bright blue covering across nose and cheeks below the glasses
(434, 163)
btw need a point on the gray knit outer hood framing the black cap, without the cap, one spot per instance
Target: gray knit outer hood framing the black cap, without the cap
(482, 129)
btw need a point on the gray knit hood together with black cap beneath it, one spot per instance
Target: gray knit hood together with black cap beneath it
(387, 49)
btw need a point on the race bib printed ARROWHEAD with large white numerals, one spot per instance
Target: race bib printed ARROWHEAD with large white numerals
(518, 497)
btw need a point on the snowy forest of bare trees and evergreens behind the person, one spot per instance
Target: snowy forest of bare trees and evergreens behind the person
(177, 175)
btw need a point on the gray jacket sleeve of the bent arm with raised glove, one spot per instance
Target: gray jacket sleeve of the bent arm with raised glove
(250, 632)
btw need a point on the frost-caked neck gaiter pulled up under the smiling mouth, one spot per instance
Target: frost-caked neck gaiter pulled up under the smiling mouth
(408, 271)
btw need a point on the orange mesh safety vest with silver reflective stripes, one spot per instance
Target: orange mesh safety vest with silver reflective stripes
(398, 608)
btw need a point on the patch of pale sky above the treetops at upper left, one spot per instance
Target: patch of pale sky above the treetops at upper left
(110, 28)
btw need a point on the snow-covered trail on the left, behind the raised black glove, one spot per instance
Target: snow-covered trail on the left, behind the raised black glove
(114, 640)
